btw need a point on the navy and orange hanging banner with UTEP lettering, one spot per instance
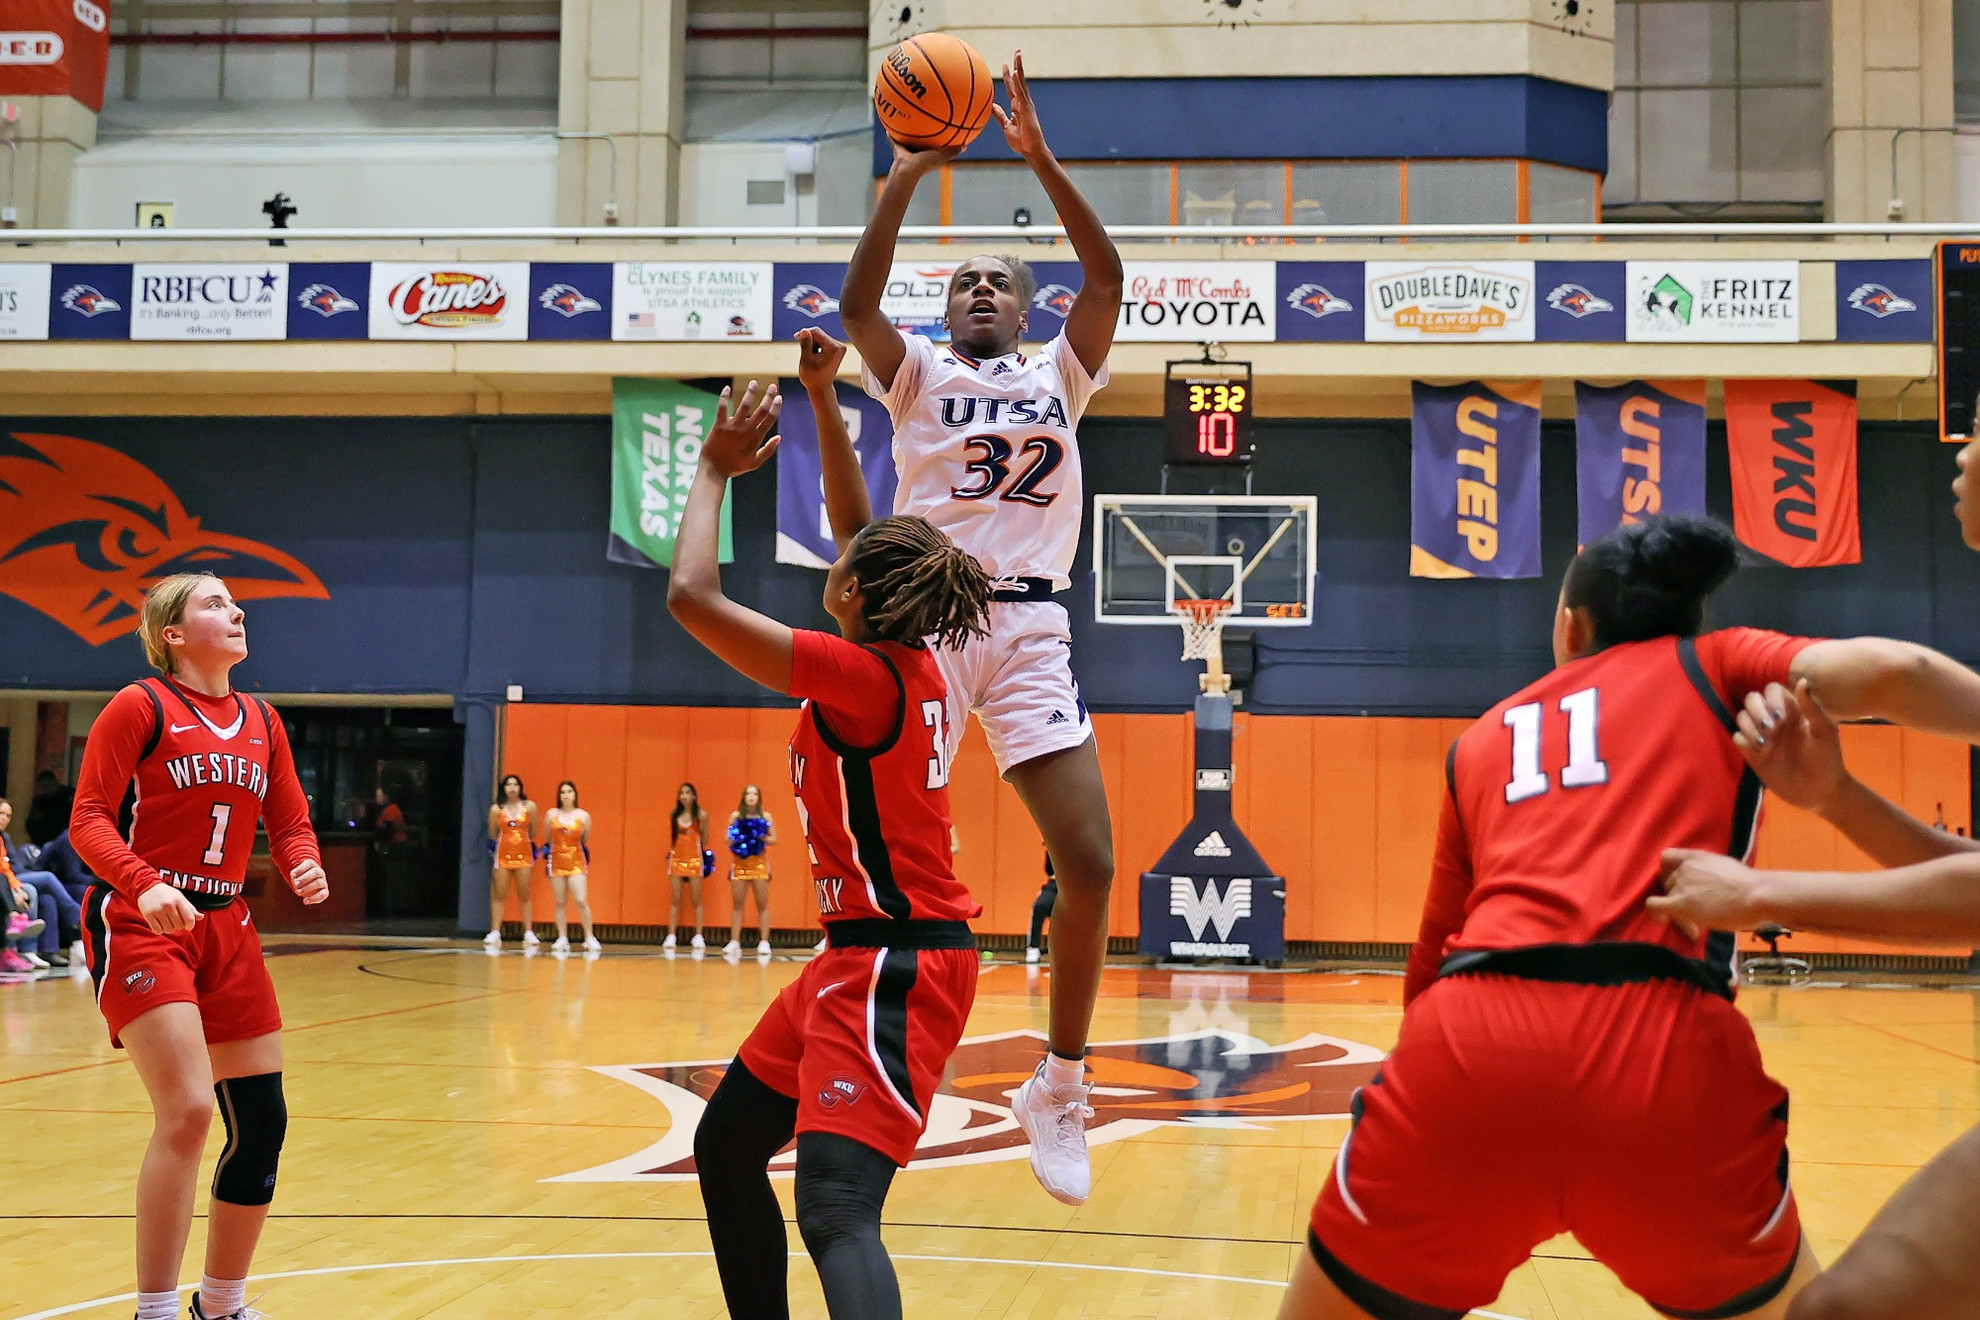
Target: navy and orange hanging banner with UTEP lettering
(1476, 480)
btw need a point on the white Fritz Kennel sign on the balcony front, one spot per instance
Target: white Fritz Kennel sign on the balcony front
(1716, 302)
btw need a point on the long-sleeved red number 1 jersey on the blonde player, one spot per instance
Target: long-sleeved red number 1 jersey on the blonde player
(207, 771)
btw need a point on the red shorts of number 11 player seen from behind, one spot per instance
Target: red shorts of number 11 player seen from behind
(1636, 1117)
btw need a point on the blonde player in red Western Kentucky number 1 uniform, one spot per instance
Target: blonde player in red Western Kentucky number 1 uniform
(171, 945)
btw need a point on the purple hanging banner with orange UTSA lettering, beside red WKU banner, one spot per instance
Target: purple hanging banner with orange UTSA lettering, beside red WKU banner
(1640, 450)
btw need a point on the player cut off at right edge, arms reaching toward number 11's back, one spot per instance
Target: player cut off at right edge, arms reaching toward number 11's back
(1920, 1260)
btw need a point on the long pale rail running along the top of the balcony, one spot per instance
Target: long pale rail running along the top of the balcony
(1231, 235)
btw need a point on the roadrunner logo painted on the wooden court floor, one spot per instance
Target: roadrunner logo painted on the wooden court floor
(1211, 1078)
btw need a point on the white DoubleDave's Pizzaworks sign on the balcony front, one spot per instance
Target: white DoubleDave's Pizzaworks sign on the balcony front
(1448, 302)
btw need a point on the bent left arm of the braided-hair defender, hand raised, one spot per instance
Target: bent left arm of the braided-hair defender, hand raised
(755, 644)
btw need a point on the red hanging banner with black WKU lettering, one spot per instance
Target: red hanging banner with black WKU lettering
(1793, 448)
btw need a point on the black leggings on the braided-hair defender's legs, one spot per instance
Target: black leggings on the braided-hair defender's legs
(842, 1186)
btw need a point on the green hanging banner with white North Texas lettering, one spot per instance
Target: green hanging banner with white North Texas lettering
(656, 446)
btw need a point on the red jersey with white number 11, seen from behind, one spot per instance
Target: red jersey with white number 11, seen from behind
(1565, 797)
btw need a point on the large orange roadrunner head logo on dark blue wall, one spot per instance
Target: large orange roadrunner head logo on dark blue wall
(86, 529)
